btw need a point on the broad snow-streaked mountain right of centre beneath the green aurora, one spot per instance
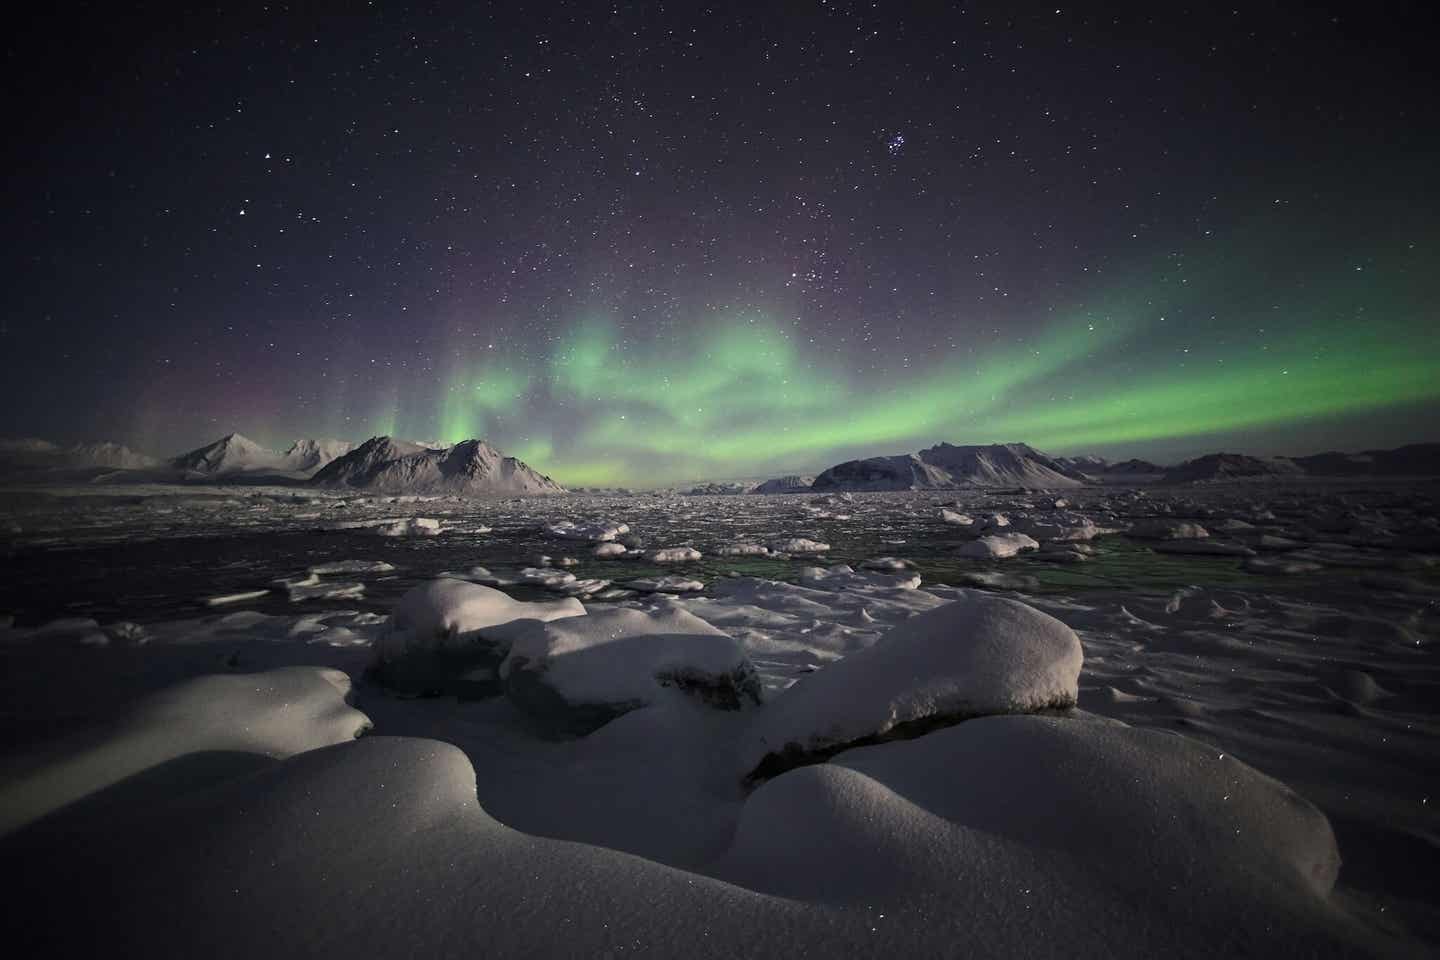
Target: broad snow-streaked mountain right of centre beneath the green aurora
(948, 467)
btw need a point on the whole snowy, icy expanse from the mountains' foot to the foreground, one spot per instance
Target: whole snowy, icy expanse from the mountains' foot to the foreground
(1249, 769)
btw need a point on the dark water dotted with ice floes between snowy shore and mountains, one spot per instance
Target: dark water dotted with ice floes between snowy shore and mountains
(155, 559)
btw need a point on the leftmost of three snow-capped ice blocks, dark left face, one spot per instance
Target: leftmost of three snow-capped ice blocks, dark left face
(443, 631)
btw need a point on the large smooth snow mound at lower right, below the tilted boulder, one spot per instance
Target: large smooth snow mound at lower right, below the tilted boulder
(1174, 827)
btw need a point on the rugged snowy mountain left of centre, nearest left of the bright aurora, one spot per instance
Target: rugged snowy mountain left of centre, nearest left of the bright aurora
(470, 468)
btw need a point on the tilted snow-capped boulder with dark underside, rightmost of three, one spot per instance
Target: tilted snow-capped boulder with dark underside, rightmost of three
(974, 657)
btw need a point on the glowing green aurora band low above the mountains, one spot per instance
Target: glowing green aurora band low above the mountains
(745, 397)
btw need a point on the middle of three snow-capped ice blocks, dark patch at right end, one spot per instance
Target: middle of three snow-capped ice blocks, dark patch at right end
(574, 676)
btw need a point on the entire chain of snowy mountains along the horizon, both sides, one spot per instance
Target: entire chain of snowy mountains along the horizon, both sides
(476, 468)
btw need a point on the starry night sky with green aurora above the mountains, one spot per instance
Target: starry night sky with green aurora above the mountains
(639, 244)
